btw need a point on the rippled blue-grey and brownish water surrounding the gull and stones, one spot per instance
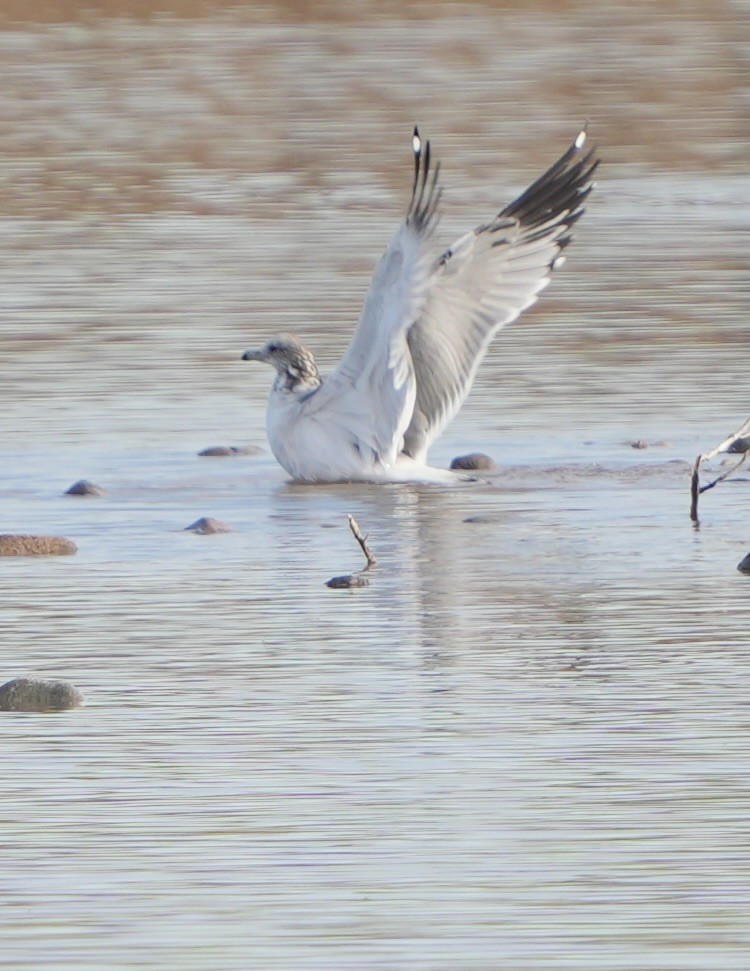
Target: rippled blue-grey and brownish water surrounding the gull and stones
(525, 744)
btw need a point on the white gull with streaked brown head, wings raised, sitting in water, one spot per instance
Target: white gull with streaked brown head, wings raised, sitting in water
(425, 327)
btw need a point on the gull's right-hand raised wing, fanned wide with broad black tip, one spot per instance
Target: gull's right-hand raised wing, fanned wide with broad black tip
(484, 281)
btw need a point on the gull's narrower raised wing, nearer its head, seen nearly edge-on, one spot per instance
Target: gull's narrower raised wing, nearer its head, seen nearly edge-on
(373, 388)
